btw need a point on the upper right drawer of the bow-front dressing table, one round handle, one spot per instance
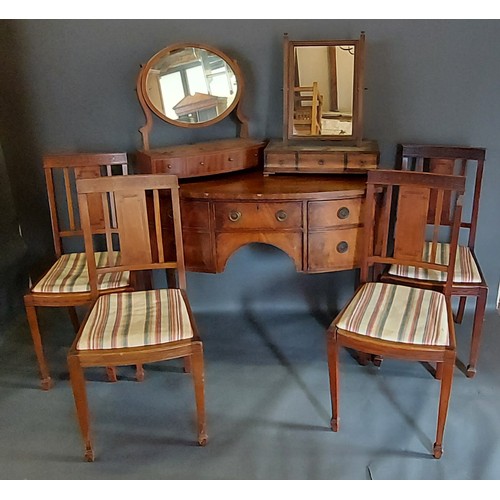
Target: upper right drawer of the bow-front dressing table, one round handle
(323, 214)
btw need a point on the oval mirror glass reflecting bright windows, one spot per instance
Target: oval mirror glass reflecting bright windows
(190, 85)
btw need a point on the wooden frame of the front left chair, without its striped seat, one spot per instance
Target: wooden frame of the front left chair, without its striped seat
(129, 196)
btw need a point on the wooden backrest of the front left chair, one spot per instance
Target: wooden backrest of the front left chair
(142, 224)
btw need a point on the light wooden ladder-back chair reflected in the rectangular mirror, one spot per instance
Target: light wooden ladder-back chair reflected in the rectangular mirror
(308, 104)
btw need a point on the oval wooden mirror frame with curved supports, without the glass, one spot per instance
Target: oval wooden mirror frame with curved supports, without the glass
(149, 108)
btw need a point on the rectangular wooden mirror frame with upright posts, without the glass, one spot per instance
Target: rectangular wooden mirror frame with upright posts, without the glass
(289, 84)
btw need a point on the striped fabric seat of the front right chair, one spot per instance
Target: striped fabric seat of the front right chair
(397, 313)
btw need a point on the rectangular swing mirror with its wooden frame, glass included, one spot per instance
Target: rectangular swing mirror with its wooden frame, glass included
(323, 90)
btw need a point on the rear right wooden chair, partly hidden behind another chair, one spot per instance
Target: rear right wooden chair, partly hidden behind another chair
(468, 280)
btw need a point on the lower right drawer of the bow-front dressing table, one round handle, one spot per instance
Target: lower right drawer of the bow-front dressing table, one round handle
(334, 250)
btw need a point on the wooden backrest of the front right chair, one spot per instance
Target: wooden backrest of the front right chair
(397, 221)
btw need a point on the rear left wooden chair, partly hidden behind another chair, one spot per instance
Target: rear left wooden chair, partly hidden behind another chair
(66, 283)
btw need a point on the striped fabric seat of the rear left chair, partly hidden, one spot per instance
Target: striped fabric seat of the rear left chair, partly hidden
(70, 275)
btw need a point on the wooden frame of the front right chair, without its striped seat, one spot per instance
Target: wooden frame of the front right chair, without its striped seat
(402, 191)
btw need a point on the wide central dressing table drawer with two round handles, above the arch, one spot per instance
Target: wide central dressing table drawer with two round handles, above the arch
(249, 215)
